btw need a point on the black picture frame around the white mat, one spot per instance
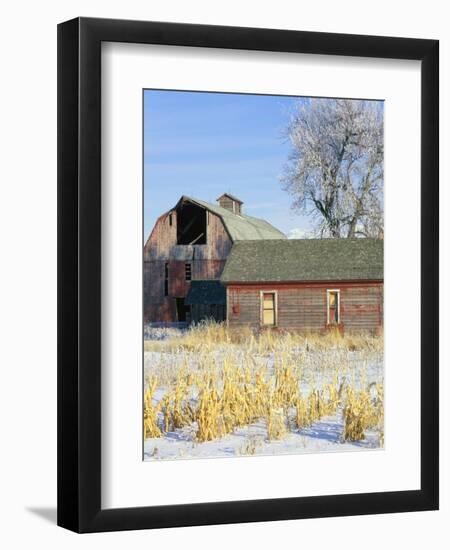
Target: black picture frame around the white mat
(79, 274)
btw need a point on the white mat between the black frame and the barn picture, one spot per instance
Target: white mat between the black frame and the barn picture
(128, 481)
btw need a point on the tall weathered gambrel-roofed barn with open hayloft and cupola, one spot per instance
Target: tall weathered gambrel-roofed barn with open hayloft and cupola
(186, 253)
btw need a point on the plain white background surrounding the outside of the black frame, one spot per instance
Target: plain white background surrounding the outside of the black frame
(28, 274)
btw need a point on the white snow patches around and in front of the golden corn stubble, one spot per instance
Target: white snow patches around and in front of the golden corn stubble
(324, 435)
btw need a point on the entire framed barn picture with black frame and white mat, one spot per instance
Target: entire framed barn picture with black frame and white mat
(247, 275)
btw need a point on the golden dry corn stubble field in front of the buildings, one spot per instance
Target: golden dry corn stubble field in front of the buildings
(209, 382)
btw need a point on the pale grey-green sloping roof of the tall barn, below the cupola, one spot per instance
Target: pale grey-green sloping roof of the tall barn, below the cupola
(240, 226)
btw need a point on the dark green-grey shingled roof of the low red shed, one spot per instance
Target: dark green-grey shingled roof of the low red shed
(298, 260)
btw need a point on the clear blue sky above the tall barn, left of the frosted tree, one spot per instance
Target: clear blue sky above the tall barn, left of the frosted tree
(204, 144)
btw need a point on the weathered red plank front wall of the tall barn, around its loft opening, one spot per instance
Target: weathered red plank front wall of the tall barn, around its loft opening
(207, 262)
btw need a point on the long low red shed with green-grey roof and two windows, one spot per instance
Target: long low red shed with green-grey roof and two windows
(305, 284)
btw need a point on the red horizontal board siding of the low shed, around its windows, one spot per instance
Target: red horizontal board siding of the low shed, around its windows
(303, 306)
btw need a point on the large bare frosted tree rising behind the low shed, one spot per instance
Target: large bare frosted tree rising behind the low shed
(335, 170)
